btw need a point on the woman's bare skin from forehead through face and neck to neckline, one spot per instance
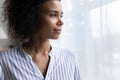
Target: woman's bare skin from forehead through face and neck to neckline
(50, 28)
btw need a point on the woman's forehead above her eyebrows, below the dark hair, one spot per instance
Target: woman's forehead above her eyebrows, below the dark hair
(51, 5)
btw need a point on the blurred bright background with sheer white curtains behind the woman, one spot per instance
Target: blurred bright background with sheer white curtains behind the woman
(91, 30)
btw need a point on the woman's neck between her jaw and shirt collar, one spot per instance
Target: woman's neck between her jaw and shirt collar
(35, 47)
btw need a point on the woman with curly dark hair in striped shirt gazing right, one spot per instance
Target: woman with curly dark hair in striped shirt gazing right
(31, 23)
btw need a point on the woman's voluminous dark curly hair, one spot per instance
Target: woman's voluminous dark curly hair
(22, 18)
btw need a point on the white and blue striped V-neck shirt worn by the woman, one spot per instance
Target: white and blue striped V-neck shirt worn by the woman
(15, 64)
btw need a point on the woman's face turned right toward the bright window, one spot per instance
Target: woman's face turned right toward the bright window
(50, 23)
